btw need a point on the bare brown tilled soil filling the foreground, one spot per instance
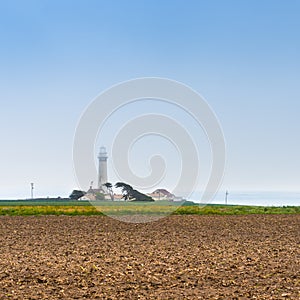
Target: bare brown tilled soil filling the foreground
(178, 257)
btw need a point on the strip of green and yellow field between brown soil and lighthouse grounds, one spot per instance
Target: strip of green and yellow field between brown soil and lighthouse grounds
(23, 208)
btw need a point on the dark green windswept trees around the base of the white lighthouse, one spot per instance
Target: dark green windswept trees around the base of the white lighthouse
(128, 192)
